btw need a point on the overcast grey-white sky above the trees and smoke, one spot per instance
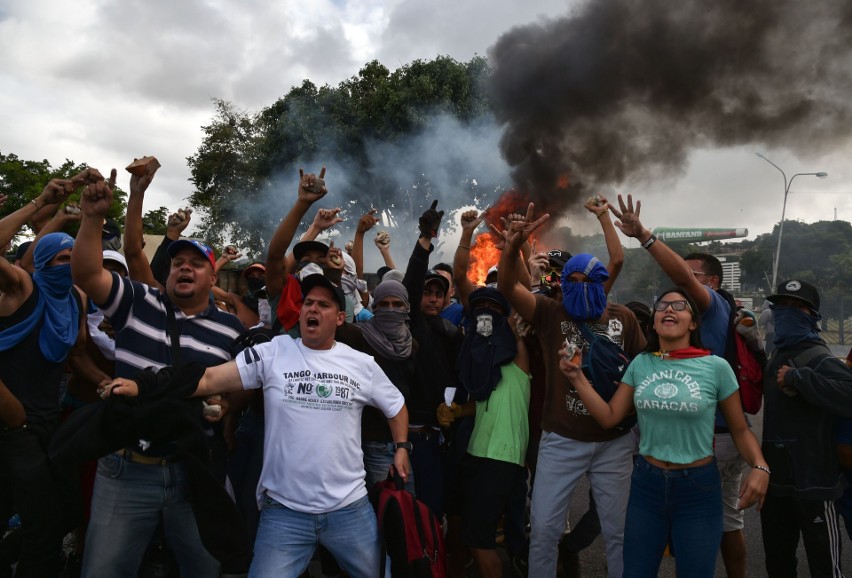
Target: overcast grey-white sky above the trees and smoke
(104, 82)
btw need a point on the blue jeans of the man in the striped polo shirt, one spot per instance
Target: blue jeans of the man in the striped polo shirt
(129, 502)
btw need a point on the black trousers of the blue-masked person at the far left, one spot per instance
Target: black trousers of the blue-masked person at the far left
(46, 497)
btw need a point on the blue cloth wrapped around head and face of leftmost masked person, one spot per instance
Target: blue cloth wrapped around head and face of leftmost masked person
(56, 305)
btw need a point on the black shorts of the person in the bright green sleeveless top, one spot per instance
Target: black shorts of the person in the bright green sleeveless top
(488, 485)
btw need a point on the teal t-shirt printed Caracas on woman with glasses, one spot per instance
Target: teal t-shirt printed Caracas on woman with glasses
(676, 401)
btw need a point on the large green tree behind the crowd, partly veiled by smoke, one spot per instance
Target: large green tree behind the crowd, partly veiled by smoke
(242, 156)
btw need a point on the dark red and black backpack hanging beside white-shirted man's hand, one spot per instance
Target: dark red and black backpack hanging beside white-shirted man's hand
(411, 534)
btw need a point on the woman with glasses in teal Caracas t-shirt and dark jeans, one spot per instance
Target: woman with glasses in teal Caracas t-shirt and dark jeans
(675, 492)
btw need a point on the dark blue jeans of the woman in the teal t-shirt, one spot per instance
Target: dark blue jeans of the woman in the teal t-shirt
(685, 505)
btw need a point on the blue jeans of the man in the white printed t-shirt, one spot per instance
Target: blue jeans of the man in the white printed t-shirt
(286, 540)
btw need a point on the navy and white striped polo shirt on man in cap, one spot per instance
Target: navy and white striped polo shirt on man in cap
(138, 316)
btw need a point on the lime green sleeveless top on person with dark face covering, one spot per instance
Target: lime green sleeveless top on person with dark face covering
(501, 430)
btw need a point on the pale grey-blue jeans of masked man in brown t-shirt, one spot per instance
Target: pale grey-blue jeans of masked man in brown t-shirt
(561, 463)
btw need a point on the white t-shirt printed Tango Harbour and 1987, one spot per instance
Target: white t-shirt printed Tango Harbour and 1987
(313, 399)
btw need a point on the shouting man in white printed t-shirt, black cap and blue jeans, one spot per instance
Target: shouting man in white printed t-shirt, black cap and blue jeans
(312, 488)
